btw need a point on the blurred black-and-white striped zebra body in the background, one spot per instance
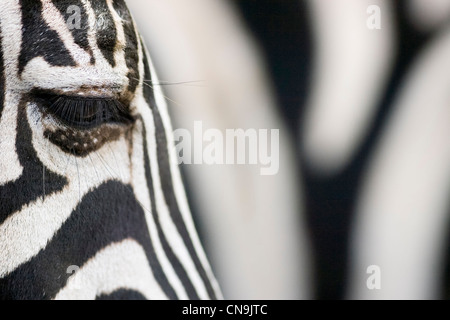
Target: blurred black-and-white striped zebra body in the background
(364, 128)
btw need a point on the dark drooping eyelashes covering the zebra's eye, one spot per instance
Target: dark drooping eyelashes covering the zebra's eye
(84, 112)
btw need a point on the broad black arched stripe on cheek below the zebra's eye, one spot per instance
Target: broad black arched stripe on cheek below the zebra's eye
(108, 214)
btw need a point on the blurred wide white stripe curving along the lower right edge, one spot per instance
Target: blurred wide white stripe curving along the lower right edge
(402, 216)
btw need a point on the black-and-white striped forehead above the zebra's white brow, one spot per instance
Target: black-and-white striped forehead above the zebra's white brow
(72, 33)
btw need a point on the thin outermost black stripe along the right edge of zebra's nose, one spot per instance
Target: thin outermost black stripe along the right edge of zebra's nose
(166, 181)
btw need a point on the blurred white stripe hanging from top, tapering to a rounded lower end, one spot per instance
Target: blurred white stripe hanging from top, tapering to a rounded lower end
(349, 55)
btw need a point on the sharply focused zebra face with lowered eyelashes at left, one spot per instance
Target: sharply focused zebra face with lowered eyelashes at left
(92, 204)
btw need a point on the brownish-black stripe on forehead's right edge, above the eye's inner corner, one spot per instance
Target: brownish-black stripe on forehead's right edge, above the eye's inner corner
(131, 46)
